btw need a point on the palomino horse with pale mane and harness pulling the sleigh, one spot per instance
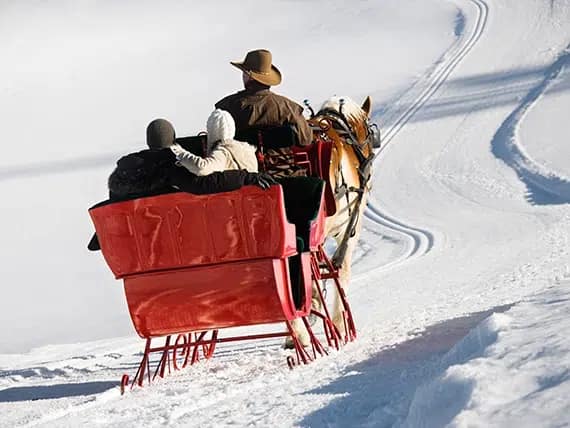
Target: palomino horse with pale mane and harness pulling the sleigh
(346, 125)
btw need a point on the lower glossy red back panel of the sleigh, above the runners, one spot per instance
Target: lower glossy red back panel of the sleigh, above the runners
(212, 297)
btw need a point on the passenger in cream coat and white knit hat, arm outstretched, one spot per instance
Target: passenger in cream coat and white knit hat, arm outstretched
(225, 152)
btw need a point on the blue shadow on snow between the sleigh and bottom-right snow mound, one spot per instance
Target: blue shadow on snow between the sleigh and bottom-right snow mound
(378, 391)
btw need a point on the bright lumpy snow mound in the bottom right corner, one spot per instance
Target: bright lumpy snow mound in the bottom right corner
(512, 369)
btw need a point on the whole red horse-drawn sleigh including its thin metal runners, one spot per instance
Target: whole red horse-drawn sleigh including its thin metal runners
(193, 265)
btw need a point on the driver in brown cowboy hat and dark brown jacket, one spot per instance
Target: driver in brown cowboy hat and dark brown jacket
(256, 106)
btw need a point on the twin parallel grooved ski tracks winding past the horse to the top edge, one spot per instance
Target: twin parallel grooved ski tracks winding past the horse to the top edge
(421, 241)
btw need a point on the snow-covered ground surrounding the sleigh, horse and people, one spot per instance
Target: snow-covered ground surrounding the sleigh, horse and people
(461, 289)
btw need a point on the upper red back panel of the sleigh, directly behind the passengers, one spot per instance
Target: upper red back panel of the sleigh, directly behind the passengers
(181, 230)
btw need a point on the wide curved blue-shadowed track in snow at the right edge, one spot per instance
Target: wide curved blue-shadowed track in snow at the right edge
(543, 187)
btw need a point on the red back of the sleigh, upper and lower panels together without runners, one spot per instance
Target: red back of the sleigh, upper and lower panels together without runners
(203, 262)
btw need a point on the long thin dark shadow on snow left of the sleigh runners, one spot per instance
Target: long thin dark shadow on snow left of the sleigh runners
(50, 392)
